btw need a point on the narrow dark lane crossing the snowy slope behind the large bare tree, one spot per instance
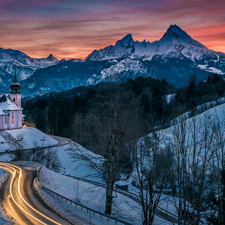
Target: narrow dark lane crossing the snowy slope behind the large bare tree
(127, 194)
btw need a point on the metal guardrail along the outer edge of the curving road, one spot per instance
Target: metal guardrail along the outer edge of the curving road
(80, 205)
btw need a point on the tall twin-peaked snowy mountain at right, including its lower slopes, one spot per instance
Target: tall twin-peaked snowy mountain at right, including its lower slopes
(176, 53)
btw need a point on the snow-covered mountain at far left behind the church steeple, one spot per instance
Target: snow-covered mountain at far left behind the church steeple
(25, 65)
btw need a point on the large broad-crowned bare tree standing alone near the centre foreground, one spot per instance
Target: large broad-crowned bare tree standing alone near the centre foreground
(109, 130)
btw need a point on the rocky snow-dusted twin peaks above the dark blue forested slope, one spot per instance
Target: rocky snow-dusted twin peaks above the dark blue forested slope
(175, 43)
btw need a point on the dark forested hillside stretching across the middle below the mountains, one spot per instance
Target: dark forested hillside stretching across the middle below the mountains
(143, 101)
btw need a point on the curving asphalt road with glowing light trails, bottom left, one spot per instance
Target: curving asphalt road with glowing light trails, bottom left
(19, 201)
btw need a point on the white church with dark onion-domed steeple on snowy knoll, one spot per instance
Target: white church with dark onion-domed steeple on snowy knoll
(10, 107)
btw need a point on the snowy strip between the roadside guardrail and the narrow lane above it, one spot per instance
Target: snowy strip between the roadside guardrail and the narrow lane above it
(92, 196)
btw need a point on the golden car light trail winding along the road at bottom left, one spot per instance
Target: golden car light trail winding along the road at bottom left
(13, 195)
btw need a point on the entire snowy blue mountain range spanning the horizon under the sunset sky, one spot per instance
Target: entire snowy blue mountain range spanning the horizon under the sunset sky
(174, 57)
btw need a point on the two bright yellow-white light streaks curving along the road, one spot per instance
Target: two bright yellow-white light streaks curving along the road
(20, 175)
